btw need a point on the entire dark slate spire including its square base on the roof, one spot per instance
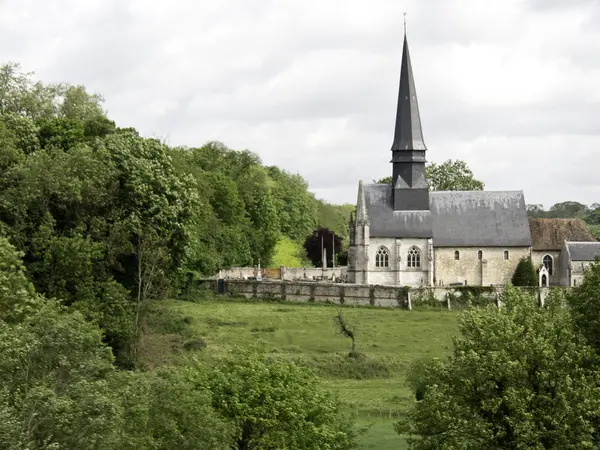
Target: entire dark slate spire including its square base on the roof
(410, 188)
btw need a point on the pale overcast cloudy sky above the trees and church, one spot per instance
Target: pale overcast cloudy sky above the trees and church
(510, 86)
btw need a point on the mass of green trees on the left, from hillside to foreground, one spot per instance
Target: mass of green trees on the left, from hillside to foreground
(95, 220)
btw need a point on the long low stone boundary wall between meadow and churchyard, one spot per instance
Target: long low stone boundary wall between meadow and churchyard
(355, 294)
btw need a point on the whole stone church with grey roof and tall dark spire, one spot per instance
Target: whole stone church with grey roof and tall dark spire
(402, 234)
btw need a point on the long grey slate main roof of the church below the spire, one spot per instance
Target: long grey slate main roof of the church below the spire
(455, 219)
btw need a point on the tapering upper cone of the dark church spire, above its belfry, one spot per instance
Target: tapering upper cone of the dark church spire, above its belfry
(408, 134)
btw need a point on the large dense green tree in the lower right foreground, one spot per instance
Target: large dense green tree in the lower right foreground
(518, 377)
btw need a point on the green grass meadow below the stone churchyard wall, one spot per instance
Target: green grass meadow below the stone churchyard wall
(375, 388)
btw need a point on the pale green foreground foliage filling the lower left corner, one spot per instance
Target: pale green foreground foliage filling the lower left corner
(60, 389)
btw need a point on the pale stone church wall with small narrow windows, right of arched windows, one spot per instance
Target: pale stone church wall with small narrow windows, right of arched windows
(492, 269)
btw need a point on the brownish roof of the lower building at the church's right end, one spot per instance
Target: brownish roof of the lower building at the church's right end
(549, 234)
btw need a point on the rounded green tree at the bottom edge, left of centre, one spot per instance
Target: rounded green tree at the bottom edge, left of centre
(276, 404)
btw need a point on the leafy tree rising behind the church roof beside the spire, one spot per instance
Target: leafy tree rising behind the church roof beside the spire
(448, 176)
